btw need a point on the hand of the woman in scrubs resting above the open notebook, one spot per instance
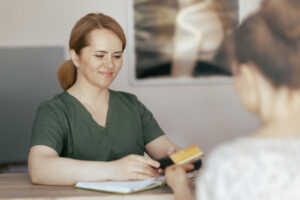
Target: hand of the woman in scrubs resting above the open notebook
(134, 167)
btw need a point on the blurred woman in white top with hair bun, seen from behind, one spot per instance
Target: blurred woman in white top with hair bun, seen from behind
(266, 164)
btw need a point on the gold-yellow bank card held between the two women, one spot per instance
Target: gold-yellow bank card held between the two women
(186, 155)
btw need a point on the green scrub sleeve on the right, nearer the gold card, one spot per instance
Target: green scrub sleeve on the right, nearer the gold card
(151, 129)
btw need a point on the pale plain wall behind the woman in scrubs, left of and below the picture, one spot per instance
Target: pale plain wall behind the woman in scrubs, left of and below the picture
(201, 114)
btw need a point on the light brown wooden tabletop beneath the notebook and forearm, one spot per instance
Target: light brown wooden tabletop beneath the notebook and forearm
(19, 186)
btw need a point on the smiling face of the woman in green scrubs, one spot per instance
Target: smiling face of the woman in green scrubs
(100, 61)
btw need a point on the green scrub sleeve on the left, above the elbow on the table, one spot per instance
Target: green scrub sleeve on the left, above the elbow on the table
(48, 127)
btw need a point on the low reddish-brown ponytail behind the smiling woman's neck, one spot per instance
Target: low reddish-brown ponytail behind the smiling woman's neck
(67, 74)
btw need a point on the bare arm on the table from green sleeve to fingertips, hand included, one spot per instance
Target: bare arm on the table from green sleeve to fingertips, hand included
(46, 167)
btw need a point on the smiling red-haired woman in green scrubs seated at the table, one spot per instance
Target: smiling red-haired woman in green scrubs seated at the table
(89, 132)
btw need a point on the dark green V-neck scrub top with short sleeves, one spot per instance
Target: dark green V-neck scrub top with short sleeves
(65, 125)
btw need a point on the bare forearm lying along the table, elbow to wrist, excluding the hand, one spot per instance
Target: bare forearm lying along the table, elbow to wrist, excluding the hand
(66, 171)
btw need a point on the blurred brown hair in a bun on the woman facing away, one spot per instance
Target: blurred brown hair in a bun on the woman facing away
(271, 40)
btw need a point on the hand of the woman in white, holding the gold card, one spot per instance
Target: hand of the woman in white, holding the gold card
(176, 176)
